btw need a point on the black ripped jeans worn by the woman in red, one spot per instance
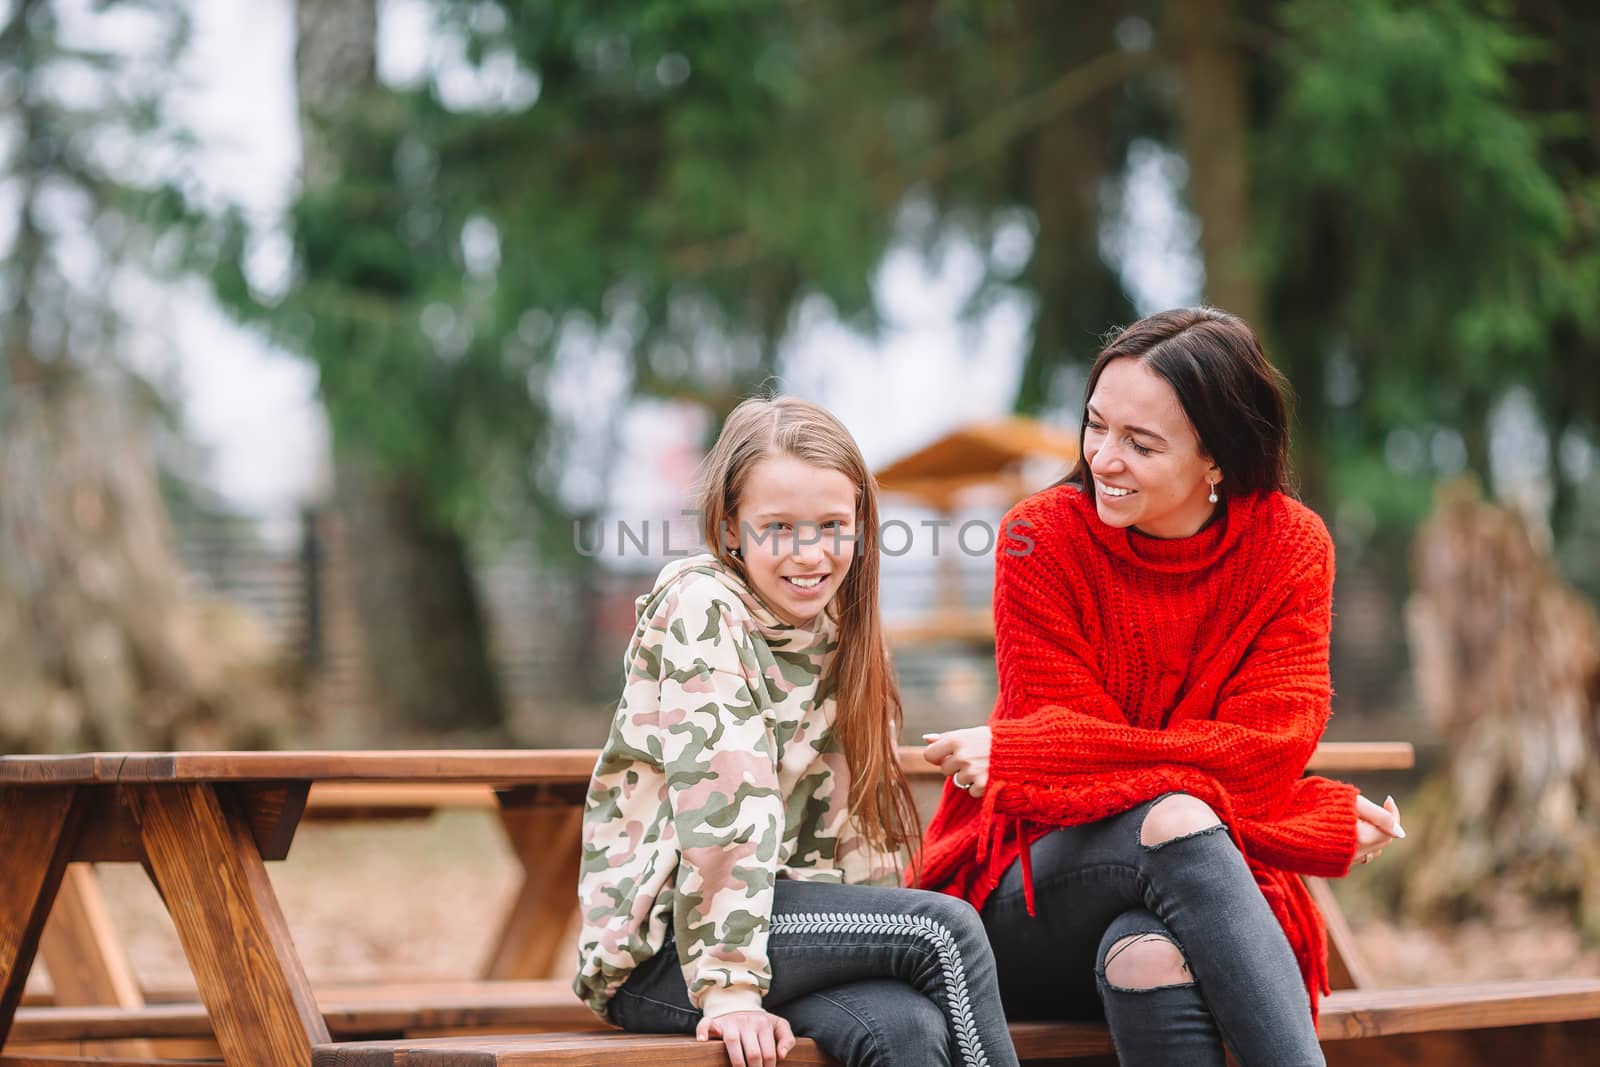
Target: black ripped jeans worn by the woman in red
(1098, 884)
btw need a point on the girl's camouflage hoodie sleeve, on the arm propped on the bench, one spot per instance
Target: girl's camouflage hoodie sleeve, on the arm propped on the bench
(727, 809)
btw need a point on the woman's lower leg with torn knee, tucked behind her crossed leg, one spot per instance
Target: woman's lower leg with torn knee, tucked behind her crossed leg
(1153, 1007)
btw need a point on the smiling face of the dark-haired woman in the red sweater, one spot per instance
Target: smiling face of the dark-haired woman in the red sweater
(1145, 455)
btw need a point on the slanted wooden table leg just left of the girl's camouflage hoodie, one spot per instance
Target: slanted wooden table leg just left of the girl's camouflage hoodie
(548, 842)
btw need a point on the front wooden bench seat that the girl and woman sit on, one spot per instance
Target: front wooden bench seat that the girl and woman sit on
(1364, 1020)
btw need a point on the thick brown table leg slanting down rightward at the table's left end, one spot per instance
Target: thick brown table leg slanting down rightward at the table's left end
(215, 884)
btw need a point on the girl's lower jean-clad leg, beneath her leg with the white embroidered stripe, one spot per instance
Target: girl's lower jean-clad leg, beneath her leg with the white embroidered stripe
(874, 1023)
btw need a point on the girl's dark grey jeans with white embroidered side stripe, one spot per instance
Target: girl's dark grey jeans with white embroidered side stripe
(878, 978)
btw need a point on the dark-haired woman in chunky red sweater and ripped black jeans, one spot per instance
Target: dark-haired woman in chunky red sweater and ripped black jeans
(1134, 818)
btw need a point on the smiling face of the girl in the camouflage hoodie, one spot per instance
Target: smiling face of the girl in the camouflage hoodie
(798, 526)
